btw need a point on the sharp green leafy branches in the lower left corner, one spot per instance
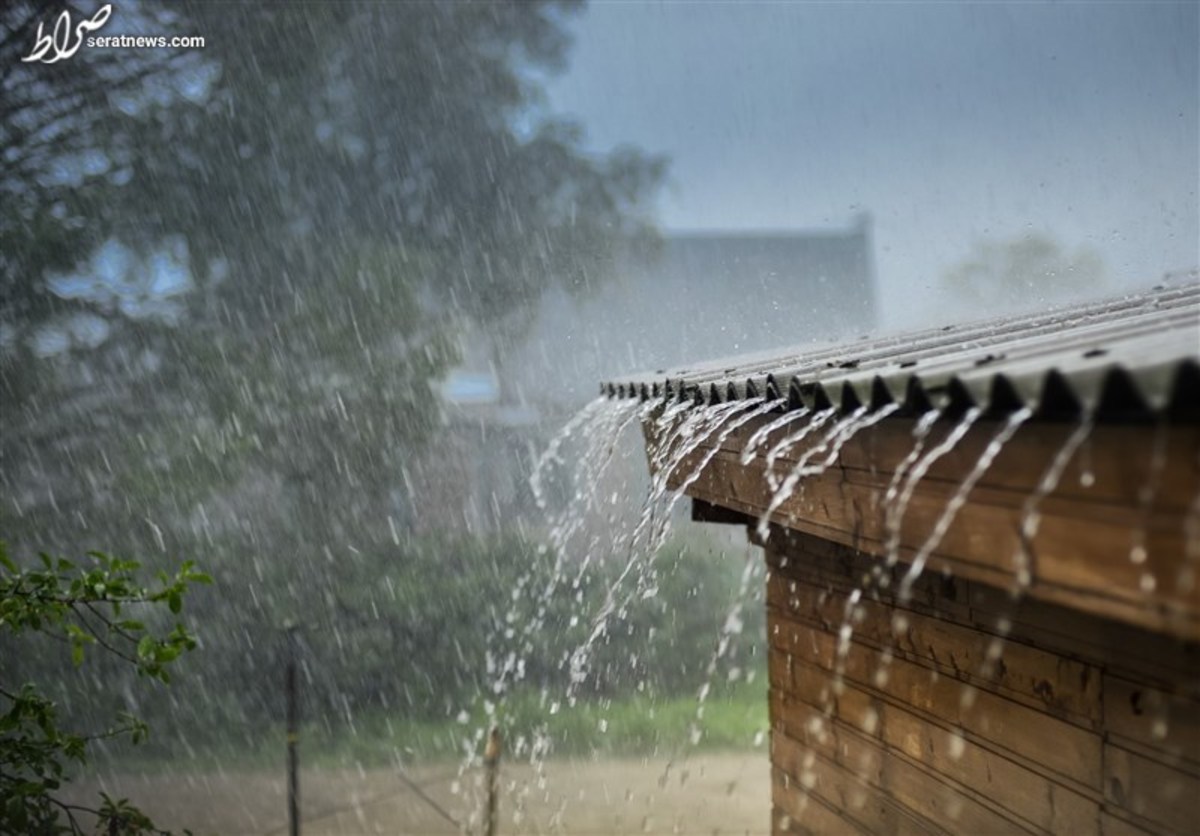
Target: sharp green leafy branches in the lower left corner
(82, 608)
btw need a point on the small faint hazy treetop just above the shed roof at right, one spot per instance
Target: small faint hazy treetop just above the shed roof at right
(1009, 274)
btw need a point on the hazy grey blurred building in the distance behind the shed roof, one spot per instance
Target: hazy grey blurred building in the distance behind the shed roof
(706, 296)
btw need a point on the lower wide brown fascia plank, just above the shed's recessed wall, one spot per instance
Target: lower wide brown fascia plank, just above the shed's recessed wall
(1084, 566)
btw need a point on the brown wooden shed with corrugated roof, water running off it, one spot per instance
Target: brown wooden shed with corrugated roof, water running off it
(983, 608)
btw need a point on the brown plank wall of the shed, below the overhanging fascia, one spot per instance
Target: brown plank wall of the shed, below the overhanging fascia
(1082, 725)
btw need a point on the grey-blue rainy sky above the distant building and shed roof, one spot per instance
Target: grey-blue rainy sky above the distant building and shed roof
(952, 124)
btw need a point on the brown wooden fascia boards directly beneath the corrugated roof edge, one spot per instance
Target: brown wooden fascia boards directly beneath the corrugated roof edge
(1126, 482)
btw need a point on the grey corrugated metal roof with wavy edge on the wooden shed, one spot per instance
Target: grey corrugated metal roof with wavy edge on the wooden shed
(1120, 358)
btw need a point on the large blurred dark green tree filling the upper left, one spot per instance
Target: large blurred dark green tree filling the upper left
(347, 188)
